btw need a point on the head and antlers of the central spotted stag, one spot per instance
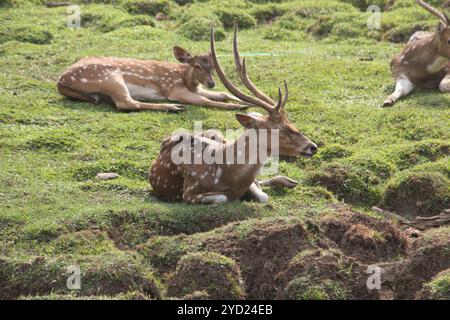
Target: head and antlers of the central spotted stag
(292, 142)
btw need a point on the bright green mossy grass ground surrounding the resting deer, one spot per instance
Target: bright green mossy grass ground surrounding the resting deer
(51, 148)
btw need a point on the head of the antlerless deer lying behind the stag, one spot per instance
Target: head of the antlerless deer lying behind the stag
(202, 66)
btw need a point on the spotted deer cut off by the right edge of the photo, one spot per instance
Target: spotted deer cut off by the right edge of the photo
(424, 61)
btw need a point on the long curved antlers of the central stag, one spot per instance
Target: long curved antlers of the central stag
(260, 99)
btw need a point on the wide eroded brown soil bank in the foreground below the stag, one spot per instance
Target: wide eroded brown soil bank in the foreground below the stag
(292, 258)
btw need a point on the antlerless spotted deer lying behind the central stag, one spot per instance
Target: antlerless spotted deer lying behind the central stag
(128, 82)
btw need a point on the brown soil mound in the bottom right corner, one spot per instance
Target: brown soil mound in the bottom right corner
(431, 256)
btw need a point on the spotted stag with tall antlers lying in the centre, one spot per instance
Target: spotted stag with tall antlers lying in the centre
(218, 182)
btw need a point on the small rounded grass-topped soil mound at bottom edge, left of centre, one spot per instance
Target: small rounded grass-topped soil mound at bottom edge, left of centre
(213, 273)
